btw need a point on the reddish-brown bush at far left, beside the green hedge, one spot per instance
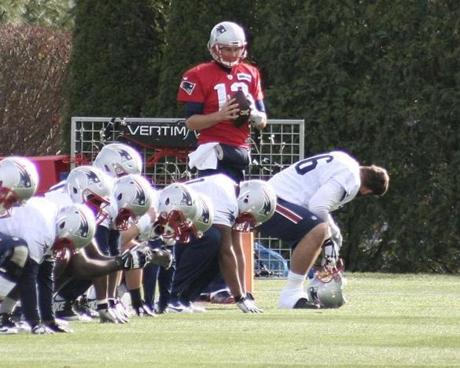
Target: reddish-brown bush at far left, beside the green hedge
(33, 62)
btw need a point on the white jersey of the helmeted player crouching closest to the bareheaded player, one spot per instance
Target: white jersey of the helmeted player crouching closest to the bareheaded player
(221, 190)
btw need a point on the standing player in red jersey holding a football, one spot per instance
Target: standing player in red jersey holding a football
(207, 91)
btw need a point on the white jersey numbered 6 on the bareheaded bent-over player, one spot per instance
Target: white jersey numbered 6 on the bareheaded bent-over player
(321, 183)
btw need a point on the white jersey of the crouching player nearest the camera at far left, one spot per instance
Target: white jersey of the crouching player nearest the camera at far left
(35, 222)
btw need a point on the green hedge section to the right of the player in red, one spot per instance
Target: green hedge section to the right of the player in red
(380, 80)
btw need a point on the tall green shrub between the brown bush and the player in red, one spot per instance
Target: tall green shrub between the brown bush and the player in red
(113, 68)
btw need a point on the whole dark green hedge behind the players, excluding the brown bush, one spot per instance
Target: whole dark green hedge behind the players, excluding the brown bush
(379, 79)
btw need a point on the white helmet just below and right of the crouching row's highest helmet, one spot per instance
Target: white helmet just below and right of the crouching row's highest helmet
(133, 196)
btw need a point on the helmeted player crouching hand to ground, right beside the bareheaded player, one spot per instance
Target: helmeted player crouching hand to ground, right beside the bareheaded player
(219, 249)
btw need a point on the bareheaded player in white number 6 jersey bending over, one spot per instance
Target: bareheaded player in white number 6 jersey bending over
(308, 191)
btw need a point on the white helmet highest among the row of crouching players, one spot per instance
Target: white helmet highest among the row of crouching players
(118, 159)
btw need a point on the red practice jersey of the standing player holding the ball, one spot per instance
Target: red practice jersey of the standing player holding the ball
(210, 84)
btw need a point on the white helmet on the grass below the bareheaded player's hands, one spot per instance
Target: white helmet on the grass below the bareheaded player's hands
(326, 289)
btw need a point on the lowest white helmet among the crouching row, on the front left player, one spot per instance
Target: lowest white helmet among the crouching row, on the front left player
(75, 227)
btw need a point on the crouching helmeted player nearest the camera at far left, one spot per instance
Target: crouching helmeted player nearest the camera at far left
(52, 230)
